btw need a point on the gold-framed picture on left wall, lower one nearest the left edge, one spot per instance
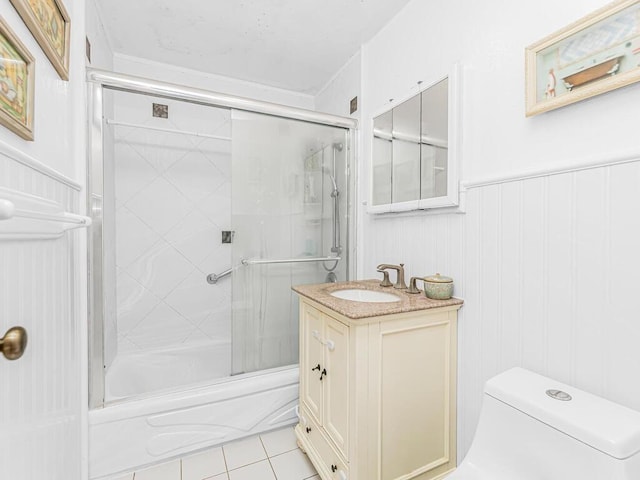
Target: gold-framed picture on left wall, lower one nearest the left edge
(16, 84)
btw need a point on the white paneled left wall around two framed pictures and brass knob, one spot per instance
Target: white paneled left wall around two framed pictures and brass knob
(41, 285)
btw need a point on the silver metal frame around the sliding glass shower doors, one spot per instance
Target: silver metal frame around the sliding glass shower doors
(97, 82)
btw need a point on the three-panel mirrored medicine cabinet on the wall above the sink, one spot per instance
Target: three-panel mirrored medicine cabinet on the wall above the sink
(415, 151)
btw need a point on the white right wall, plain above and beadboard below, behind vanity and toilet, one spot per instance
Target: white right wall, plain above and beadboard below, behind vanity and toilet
(546, 266)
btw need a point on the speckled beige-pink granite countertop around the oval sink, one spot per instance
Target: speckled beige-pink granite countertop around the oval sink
(321, 293)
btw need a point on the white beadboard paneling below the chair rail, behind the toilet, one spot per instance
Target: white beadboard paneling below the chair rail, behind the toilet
(548, 271)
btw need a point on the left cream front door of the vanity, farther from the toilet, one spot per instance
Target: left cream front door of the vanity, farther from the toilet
(312, 361)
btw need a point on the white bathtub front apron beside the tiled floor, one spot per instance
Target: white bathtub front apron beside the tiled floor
(130, 434)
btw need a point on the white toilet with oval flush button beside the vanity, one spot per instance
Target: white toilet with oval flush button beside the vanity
(534, 428)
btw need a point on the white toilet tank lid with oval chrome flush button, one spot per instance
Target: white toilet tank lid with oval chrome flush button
(602, 424)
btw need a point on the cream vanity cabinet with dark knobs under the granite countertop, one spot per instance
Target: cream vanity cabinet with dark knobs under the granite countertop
(378, 394)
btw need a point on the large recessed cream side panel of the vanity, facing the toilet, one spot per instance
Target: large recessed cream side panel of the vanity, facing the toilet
(412, 364)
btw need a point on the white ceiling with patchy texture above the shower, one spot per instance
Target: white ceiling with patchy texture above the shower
(292, 44)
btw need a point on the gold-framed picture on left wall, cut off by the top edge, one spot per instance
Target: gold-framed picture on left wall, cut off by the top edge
(50, 25)
